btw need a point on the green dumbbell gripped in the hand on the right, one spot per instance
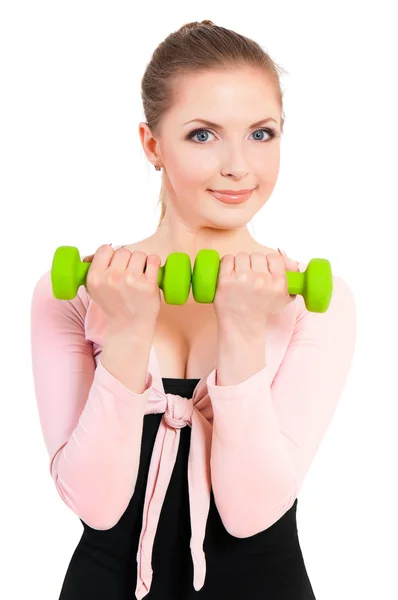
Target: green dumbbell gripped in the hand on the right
(315, 284)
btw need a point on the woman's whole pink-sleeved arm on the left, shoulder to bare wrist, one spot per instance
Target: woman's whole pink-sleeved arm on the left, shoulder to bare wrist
(91, 421)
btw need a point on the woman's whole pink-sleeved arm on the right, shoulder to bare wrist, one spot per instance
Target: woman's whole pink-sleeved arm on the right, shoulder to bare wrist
(266, 434)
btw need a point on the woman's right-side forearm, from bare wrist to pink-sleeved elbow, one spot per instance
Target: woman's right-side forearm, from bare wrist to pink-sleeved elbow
(251, 470)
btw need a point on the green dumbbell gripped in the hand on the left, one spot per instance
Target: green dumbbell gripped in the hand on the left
(68, 273)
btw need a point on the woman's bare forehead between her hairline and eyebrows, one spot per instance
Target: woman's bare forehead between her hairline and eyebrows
(237, 94)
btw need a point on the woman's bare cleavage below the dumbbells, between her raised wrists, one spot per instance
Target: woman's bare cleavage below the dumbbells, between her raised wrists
(185, 340)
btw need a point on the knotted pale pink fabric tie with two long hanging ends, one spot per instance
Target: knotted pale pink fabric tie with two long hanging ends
(178, 412)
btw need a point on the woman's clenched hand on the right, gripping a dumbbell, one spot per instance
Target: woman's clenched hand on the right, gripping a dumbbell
(251, 288)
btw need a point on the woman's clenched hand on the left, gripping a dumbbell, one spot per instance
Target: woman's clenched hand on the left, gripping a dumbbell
(116, 281)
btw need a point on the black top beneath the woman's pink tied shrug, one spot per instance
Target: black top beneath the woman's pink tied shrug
(265, 566)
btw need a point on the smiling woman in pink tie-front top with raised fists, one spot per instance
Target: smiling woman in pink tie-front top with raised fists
(181, 434)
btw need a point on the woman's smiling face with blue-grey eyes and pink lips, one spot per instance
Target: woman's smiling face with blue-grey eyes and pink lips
(229, 155)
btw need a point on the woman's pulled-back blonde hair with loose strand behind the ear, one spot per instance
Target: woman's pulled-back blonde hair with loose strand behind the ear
(198, 47)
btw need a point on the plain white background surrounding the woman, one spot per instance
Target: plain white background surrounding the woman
(73, 172)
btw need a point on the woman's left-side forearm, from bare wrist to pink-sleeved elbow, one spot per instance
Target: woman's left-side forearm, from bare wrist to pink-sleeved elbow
(96, 471)
